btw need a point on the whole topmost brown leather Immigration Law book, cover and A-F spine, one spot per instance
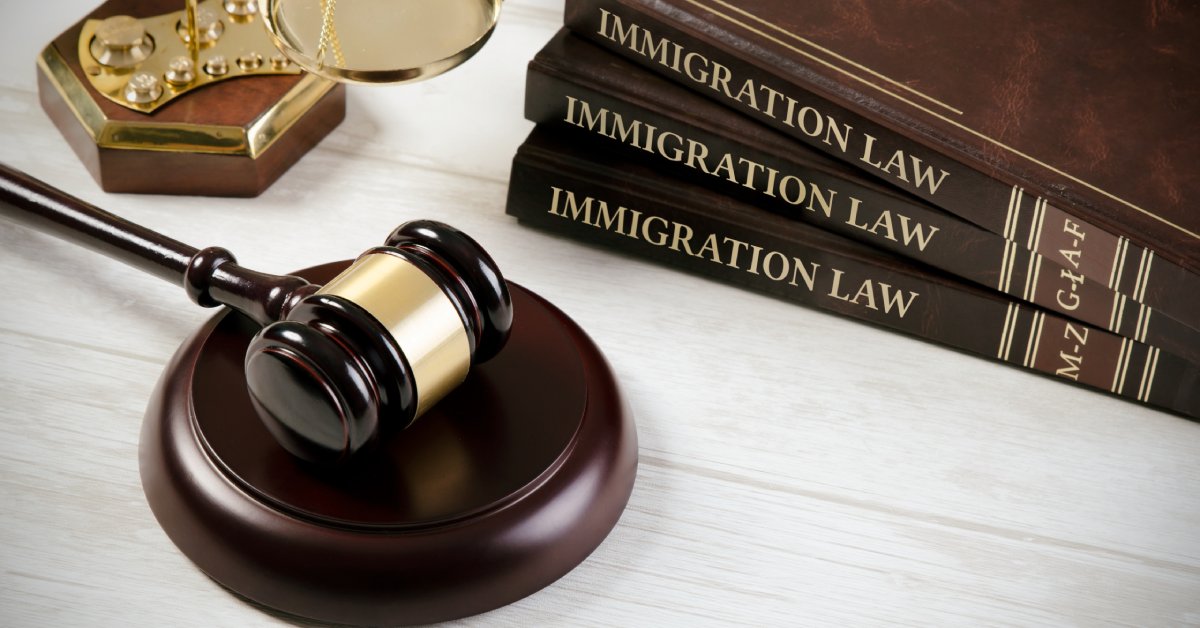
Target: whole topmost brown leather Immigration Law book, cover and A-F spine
(1069, 128)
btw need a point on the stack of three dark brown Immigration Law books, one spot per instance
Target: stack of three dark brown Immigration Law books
(1013, 181)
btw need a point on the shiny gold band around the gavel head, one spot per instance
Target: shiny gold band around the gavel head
(421, 318)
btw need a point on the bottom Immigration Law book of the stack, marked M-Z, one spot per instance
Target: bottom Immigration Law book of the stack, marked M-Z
(579, 189)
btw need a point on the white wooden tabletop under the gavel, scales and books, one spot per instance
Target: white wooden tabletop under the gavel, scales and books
(796, 468)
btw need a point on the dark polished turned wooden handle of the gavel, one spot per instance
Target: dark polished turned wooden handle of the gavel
(211, 277)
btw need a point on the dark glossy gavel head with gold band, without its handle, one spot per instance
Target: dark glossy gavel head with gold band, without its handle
(380, 344)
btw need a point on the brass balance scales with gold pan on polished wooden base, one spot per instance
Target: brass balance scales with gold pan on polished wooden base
(153, 97)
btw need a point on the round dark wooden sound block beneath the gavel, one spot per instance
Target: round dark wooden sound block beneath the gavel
(501, 489)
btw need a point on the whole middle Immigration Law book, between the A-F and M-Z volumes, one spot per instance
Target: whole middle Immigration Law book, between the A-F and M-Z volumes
(581, 88)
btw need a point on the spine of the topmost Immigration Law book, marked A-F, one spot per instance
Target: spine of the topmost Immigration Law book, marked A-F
(644, 32)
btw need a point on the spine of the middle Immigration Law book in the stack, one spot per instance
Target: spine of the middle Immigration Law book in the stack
(800, 192)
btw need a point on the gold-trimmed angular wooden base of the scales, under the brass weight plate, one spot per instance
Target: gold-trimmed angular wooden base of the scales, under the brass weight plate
(231, 139)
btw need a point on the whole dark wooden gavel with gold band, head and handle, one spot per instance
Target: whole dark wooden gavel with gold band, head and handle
(334, 367)
